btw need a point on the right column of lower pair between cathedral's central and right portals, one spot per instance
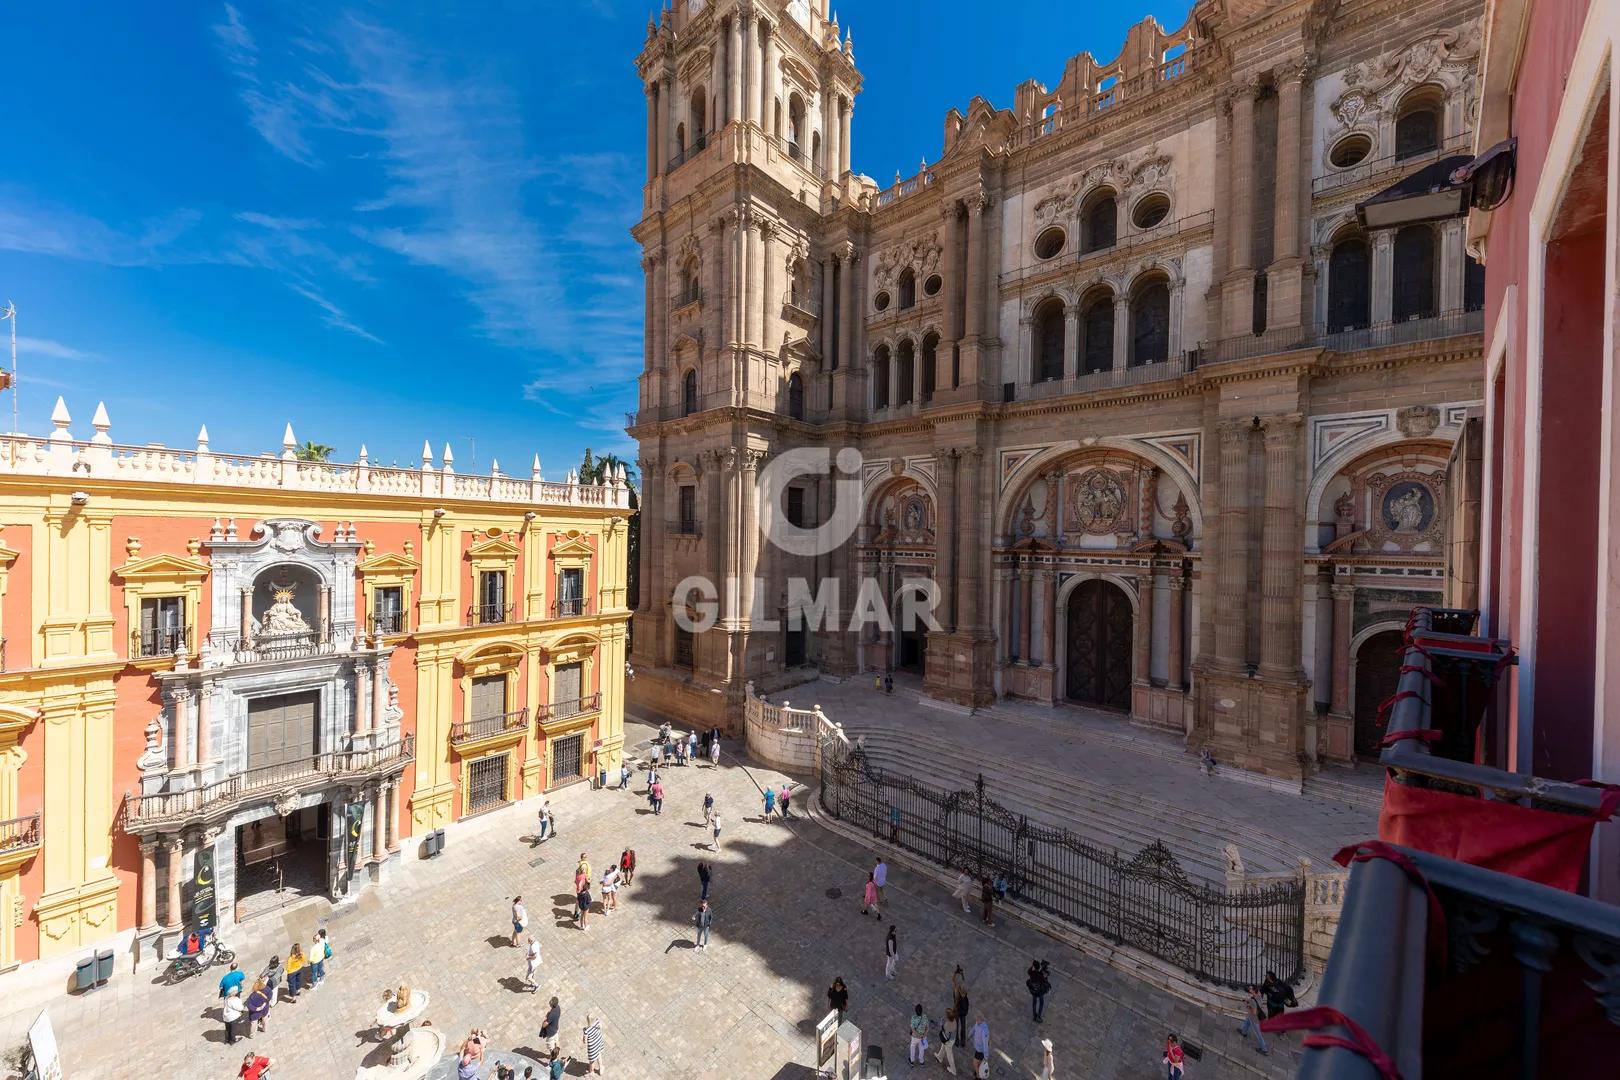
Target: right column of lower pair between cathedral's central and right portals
(1281, 550)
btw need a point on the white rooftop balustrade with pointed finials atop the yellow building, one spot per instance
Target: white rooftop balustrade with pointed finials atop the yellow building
(101, 459)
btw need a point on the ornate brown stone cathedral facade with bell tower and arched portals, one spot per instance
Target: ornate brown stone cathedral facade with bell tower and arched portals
(1148, 398)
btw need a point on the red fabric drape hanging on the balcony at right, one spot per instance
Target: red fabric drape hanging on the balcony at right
(1533, 844)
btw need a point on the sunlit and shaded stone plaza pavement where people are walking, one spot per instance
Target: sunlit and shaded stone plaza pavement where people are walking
(788, 921)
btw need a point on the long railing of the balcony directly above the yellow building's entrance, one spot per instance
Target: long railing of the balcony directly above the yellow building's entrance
(223, 797)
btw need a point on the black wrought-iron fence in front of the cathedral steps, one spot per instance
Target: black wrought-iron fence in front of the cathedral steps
(1145, 901)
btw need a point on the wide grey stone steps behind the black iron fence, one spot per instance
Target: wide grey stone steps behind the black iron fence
(1098, 814)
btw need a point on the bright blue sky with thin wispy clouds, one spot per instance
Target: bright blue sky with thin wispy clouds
(390, 223)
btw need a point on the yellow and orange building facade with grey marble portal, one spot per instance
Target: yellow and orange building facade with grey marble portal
(231, 682)
